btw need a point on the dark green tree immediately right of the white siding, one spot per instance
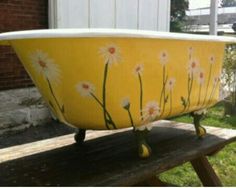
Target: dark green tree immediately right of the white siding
(178, 8)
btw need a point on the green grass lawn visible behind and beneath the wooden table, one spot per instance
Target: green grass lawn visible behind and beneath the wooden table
(224, 162)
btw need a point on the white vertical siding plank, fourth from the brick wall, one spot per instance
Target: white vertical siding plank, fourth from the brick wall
(148, 14)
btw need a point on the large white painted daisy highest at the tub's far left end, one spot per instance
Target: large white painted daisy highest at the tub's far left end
(45, 65)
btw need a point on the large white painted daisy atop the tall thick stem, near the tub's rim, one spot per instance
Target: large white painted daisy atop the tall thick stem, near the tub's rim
(110, 53)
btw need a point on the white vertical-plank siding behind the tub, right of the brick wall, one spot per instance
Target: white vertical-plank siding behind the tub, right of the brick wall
(130, 14)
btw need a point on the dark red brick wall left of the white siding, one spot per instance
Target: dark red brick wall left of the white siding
(18, 15)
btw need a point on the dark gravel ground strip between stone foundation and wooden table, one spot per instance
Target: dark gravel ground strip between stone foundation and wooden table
(33, 134)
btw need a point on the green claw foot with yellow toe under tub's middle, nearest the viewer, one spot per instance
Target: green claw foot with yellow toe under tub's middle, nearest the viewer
(144, 150)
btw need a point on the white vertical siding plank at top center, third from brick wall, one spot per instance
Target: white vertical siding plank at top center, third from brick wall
(127, 14)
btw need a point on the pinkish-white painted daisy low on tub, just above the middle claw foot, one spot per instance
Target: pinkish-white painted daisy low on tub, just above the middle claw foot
(151, 111)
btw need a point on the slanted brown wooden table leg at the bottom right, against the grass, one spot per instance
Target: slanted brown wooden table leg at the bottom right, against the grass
(205, 172)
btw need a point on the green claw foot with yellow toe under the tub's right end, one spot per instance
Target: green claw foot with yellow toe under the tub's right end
(200, 130)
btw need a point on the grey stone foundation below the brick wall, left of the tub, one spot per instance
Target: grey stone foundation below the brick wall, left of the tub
(22, 108)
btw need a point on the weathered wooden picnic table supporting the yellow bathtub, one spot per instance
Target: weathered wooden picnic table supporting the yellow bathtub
(109, 158)
